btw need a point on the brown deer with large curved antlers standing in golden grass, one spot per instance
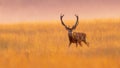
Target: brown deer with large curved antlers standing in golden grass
(74, 37)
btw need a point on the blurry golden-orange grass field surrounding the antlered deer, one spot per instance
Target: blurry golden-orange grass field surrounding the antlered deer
(38, 45)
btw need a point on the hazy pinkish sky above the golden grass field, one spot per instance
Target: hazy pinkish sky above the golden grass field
(45, 10)
